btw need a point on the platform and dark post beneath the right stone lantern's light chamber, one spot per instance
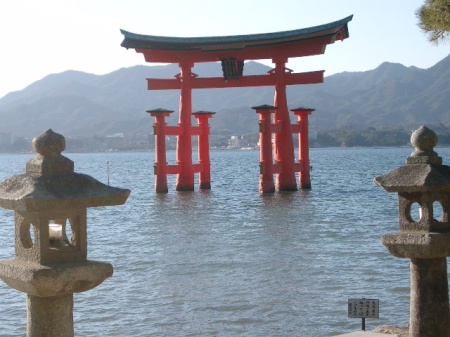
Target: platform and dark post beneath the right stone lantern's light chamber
(429, 280)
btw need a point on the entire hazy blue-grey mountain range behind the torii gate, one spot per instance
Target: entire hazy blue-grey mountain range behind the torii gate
(81, 104)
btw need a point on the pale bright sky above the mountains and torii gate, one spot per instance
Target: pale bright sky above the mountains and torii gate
(50, 36)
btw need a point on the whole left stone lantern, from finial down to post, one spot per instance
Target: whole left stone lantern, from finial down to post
(50, 202)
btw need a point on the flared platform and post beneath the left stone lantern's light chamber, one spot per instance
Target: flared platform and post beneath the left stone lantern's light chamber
(50, 291)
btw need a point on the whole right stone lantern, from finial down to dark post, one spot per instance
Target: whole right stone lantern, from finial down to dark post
(423, 183)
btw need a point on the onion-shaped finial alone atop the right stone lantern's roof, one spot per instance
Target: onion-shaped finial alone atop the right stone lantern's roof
(424, 140)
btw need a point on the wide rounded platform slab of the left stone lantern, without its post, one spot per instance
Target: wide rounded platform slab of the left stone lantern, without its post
(54, 279)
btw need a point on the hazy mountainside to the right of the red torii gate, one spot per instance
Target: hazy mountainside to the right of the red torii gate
(389, 95)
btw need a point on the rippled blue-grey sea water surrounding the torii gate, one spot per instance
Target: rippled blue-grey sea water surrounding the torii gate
(230, 262)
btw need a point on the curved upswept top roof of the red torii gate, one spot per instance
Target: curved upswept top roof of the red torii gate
(293, 43)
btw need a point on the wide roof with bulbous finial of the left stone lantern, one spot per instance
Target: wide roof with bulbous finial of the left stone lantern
(51, 183)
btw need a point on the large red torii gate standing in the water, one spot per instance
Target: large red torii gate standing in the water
(232, 51)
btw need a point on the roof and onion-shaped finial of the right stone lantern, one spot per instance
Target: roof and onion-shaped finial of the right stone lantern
(423, 170)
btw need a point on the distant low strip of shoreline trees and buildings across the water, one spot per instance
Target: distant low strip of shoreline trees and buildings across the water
(344, 137)
